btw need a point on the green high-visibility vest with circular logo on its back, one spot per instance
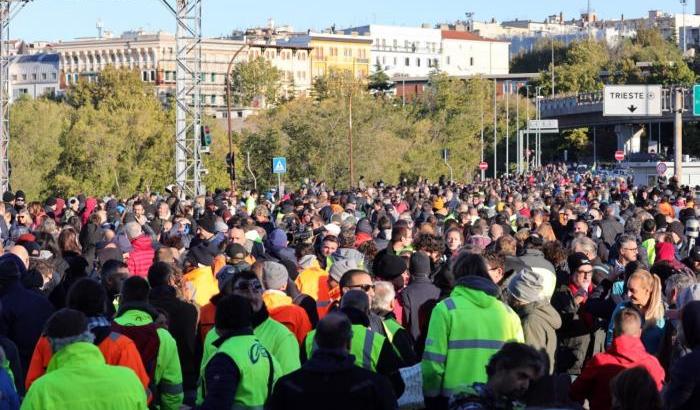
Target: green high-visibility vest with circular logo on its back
(254, 364)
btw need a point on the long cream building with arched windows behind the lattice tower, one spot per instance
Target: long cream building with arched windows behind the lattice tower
(153, 54)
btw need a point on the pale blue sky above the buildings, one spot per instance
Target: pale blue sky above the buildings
(53, 20)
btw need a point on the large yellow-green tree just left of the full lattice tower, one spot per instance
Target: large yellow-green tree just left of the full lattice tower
(120, 138)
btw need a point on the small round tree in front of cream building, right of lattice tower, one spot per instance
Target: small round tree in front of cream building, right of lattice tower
(254, 79)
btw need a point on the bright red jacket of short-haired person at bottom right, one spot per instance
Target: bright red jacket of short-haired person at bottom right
(624, 353)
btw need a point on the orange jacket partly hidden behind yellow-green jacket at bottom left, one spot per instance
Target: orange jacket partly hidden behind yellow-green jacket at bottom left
(117, 349)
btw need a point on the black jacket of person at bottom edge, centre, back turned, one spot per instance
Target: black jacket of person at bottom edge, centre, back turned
(331, 380)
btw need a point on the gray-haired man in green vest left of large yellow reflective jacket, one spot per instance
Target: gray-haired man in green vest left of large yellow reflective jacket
(383, 305)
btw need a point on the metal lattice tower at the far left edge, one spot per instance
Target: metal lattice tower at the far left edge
(8, 10)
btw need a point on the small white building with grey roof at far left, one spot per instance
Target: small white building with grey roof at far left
(34, 75)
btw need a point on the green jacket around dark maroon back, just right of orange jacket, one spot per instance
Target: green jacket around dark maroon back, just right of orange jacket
(168, 374)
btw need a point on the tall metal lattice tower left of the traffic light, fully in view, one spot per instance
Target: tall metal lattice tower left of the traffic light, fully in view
(188, 121)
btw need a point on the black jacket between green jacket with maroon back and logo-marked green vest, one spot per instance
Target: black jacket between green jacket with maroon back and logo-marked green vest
(182, 324)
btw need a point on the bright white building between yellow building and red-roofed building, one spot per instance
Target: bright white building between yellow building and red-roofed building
(402, 51)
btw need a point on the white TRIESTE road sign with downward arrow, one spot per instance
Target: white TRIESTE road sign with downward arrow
(632, 101)
